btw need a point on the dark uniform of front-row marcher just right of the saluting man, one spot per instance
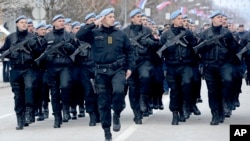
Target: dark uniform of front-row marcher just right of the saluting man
(140, 83)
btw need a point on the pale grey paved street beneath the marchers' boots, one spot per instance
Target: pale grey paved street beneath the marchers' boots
(156, 127)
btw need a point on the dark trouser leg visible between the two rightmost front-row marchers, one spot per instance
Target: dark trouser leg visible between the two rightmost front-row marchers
(196, 84)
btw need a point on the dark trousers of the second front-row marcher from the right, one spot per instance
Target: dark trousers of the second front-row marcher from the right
(180, 82)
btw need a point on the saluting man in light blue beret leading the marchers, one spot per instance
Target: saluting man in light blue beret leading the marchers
(114, 60)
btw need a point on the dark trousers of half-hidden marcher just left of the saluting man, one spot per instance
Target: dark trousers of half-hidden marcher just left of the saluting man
(86, 74)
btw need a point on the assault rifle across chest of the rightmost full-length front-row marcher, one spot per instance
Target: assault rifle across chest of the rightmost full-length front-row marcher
(213, 40)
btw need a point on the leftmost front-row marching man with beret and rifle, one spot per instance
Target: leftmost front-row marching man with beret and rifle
(20, 48)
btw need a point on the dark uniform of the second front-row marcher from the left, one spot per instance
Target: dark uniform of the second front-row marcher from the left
(59, 73)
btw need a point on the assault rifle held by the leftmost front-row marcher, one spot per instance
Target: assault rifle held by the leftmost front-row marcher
(17, 47)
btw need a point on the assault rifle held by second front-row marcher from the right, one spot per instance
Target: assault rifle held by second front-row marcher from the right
(176, 40)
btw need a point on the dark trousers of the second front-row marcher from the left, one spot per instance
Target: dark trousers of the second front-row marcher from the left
(59, 81)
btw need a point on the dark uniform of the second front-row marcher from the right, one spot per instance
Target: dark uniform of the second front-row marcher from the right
(179, 60)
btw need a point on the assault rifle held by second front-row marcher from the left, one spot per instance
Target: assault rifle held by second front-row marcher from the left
(49, 51)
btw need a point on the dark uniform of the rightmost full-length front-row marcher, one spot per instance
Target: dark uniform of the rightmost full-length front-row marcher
(219, 60)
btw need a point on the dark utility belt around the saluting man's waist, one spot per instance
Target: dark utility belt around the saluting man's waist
(103, 68)
